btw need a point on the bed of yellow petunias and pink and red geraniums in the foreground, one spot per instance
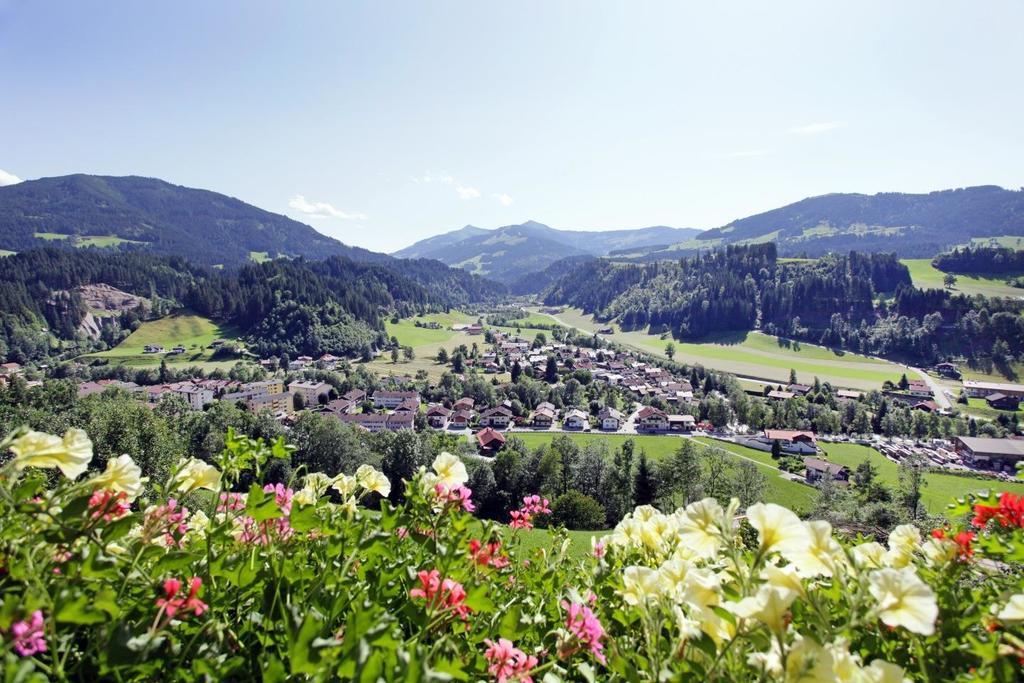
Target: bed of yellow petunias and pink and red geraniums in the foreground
(102, 579)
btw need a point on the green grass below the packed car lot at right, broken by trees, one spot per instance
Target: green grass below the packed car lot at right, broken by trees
(941, 489)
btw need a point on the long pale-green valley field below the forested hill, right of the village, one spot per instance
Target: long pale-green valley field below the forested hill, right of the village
(757, 356)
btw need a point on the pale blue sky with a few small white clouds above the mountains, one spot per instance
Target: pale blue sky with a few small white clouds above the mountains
(381, 123)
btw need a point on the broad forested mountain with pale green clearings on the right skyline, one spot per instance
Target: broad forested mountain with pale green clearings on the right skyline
(913, 226)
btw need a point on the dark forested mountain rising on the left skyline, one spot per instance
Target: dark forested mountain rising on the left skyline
(147, 214)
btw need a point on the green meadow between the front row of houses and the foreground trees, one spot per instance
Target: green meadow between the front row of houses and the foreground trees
(794, 495)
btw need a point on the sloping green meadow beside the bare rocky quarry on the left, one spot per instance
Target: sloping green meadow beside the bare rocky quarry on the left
(193, 332)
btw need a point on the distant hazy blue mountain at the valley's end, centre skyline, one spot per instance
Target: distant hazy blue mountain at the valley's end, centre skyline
(508, 253)
